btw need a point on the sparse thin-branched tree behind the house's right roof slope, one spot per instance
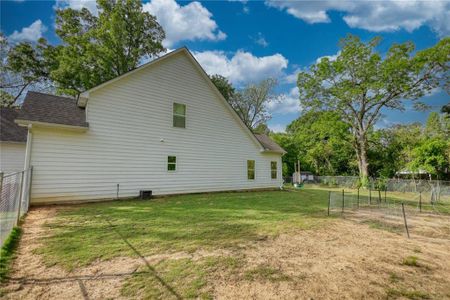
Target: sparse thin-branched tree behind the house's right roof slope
(251, 102)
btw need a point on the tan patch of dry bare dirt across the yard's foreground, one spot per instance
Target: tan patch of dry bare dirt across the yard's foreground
(346, 259)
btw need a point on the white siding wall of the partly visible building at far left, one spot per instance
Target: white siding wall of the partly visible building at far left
(12, 157)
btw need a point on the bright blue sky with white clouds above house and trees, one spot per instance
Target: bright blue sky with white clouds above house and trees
(250, 40)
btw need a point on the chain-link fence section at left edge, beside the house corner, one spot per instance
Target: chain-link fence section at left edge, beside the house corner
(14, 200)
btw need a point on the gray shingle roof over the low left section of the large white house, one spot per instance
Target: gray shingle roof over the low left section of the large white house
(47, 108)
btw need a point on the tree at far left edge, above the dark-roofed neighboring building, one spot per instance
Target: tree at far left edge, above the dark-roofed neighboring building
(23, 66)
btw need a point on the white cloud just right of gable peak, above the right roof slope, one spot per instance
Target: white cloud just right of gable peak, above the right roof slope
(242, 67)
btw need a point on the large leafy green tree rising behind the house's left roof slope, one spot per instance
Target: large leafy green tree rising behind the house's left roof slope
(96, 49)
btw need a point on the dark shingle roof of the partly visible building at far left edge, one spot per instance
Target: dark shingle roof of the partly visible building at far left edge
(10, 131)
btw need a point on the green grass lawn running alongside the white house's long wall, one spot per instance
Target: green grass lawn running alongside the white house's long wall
(82, 234)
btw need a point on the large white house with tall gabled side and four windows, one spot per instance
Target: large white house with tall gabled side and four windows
(162, 127)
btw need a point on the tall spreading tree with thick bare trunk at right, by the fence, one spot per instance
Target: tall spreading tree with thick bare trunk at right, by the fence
(360, 83)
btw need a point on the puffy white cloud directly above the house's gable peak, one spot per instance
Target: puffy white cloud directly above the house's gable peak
(189, 22)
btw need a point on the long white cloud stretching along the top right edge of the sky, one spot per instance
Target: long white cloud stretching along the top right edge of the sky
(378, 16)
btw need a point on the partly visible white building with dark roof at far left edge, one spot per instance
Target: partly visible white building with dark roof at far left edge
(12, 142)
